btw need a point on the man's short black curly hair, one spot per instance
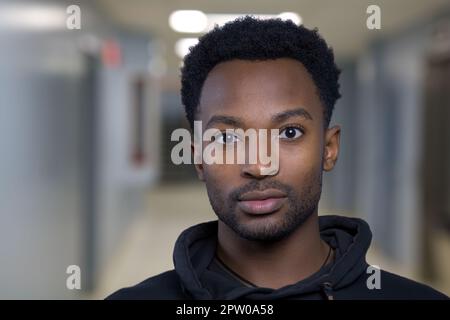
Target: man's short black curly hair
(249, 38)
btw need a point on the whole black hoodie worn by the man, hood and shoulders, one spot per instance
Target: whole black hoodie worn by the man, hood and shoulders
(195, 276)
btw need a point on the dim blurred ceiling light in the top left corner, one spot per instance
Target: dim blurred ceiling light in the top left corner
(32, 17)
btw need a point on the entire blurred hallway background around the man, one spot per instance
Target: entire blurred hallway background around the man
(86, 116)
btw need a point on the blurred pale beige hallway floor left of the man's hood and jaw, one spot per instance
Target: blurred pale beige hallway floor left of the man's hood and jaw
(147, 246)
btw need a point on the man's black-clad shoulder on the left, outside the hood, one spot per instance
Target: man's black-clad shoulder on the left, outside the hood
(162, 286)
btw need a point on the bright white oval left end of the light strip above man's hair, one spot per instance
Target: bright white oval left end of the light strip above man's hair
(189, 21)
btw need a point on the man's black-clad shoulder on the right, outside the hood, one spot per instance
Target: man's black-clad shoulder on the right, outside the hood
(390, 287)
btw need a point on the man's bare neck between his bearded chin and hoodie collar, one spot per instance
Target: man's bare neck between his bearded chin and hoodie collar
(274, 265)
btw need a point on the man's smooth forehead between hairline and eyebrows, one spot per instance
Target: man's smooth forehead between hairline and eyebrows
(253, 89)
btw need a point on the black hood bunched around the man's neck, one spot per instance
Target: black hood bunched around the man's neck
(195, 249)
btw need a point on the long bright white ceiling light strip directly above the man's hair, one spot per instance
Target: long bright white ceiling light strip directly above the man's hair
(194, 21)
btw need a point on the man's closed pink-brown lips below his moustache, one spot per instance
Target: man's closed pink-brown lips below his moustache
(262, 202)
